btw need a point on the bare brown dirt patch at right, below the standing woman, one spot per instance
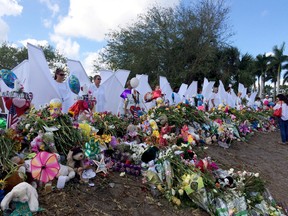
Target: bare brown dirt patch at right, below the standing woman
(262, 154)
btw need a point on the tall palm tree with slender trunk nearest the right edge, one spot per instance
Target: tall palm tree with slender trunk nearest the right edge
(278, 59)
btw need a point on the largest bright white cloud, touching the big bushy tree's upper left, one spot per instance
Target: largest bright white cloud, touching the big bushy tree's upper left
(92, 19)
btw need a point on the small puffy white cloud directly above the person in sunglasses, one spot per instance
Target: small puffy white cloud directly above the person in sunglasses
(66, 47)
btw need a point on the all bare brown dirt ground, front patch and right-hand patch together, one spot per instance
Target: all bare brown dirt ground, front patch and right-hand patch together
(115, 195)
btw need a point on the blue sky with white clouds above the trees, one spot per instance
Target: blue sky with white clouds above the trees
(77, 28)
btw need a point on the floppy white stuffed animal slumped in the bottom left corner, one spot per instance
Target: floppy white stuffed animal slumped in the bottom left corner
(22, 192)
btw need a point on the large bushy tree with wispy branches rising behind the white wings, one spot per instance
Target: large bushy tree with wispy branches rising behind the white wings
(180, 43)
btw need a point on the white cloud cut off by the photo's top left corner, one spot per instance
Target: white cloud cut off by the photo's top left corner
(10, 8)
